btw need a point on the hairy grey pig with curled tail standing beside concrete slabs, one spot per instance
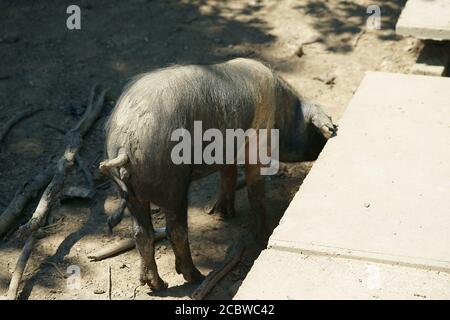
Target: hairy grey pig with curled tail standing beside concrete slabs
(240, 93)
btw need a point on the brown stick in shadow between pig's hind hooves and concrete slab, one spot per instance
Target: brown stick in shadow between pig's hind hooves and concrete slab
(233, 257)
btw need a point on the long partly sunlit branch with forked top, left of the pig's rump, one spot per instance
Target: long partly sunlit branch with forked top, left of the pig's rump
(74, 139)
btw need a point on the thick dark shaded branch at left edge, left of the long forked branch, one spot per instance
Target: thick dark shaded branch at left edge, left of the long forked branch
(24, 194)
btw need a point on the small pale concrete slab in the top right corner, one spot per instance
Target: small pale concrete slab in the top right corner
(425, 19)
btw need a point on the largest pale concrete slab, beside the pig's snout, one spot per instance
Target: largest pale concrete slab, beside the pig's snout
(380, 190)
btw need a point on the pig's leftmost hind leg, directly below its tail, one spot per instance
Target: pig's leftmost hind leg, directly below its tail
(144, 237)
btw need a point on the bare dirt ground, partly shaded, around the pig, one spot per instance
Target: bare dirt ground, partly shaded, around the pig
(45, 64)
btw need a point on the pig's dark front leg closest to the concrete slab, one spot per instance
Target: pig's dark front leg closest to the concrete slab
(256, 196)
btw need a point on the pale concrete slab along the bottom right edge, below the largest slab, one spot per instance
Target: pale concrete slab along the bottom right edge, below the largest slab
(320, 277)
